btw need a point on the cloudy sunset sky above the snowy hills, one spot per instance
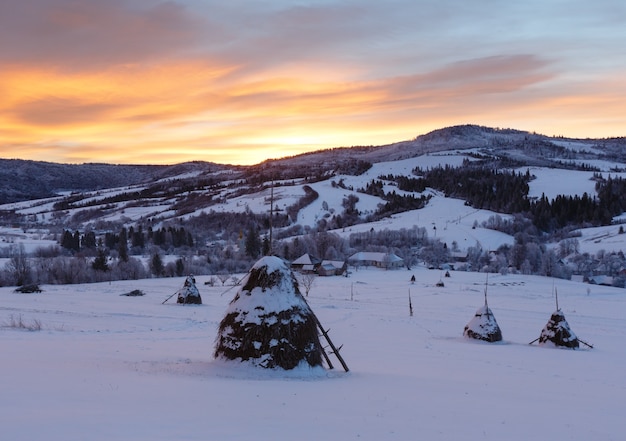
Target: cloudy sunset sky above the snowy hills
(238, 82)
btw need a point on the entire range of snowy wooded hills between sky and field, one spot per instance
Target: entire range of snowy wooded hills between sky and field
(476, 190)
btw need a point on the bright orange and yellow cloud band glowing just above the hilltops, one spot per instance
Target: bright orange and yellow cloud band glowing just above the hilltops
(198, 109)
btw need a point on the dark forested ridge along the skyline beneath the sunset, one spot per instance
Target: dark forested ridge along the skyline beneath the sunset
(22, 180)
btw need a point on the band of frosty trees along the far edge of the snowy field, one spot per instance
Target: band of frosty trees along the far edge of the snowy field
(53, 265)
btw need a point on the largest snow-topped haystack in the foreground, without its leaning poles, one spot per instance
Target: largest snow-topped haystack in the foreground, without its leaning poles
(269, 323)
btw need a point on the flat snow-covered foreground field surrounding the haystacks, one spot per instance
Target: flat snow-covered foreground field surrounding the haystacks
(110, 367)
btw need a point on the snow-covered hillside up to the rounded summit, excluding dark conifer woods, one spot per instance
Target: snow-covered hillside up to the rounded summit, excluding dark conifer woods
(196, 188)
